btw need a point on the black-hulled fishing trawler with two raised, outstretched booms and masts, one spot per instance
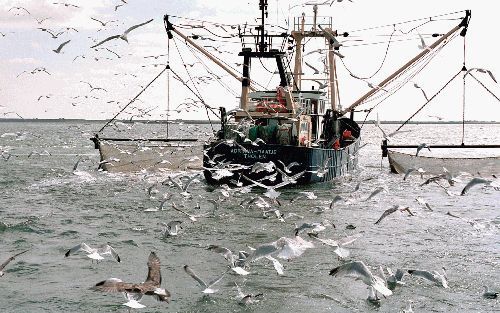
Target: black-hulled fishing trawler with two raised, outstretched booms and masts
(288, 134)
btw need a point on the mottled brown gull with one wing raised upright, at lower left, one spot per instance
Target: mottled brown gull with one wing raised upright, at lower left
(150, 287)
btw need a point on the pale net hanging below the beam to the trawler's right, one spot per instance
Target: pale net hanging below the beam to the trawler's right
(401, 162)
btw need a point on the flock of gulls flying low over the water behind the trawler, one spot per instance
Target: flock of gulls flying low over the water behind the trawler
(381, 283)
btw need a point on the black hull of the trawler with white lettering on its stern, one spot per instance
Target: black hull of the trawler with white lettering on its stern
(342, 161)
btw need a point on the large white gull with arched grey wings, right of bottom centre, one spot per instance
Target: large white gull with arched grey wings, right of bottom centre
(359, 270)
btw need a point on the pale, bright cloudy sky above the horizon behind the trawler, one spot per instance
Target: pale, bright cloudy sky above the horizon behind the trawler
(36, 82)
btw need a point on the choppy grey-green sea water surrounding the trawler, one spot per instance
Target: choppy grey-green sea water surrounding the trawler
(47, 207)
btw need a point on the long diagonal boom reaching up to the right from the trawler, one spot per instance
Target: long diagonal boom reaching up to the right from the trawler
(464, 23)
